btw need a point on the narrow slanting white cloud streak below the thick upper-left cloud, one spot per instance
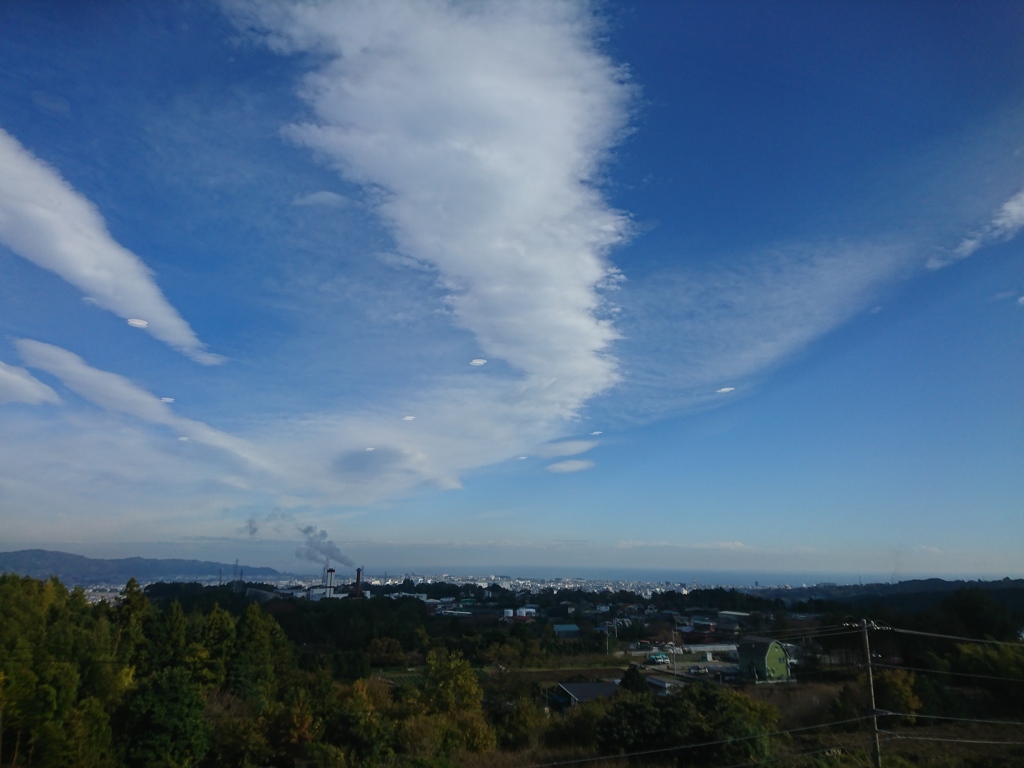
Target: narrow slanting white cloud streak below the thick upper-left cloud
(118, 395)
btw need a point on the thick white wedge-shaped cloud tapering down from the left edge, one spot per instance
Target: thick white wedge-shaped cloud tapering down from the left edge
(47, 222)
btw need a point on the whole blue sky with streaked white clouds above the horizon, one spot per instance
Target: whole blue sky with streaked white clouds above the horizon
(743, 284)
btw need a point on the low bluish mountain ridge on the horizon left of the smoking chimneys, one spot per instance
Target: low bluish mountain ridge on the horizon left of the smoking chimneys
(75, 571)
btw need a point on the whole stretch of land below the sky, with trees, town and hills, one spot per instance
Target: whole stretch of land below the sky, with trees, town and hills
(189, 663)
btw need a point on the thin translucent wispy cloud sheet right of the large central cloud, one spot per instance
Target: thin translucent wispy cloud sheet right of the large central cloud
(690, 332)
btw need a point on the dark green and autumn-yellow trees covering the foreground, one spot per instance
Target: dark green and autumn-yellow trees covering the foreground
(181, 675)
